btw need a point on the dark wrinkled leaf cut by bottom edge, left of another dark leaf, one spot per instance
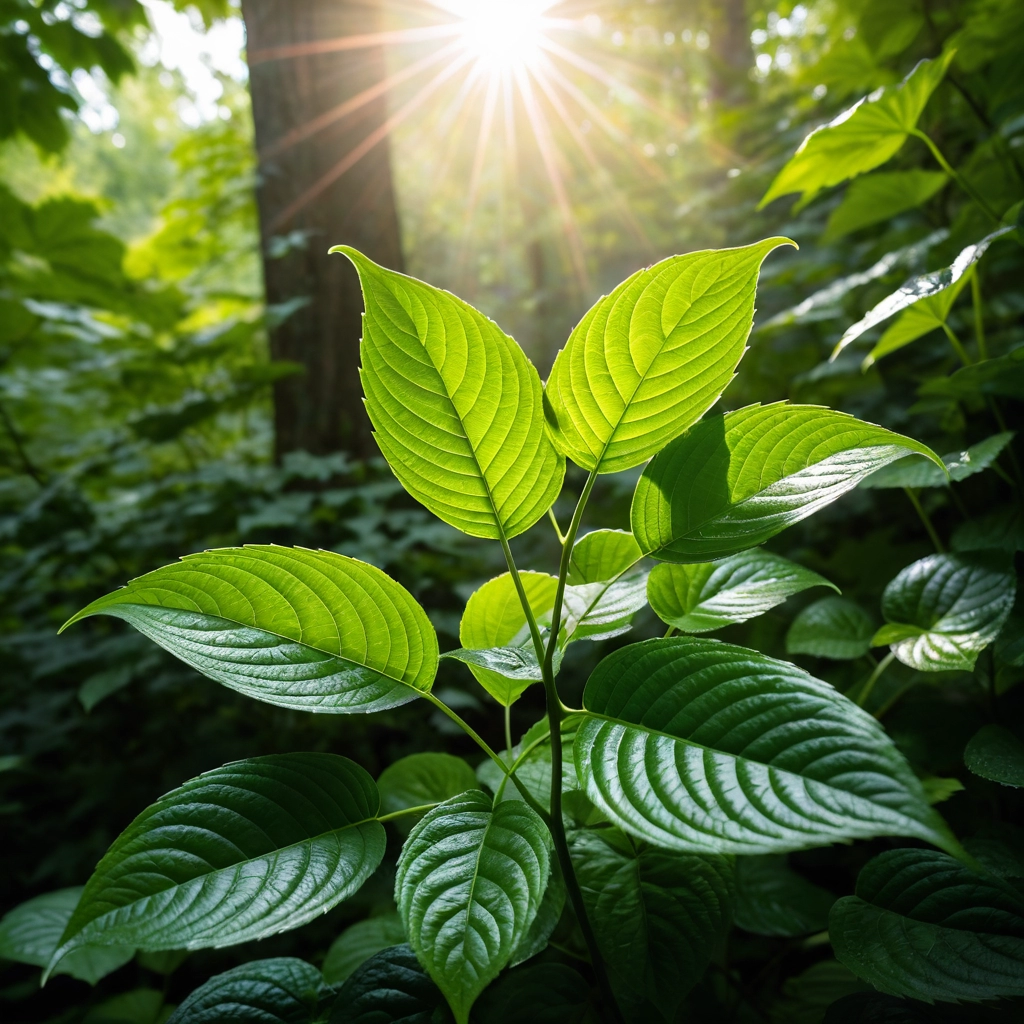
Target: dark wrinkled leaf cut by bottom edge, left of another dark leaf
(281, 991)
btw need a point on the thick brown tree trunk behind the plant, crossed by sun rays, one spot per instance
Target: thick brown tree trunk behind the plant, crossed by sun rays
(306, 207)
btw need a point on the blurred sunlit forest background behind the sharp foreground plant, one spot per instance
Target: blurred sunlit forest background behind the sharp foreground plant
(178, 362)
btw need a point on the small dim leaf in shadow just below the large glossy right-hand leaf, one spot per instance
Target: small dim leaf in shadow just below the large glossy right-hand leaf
(774, 900)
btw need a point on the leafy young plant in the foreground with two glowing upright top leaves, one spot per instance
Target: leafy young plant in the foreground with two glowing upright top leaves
(630, 810)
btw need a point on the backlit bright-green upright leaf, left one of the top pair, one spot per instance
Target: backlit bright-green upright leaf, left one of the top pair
(456, 406)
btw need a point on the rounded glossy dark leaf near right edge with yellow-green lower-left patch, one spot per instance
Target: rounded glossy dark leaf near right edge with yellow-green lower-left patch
(945, 611)
